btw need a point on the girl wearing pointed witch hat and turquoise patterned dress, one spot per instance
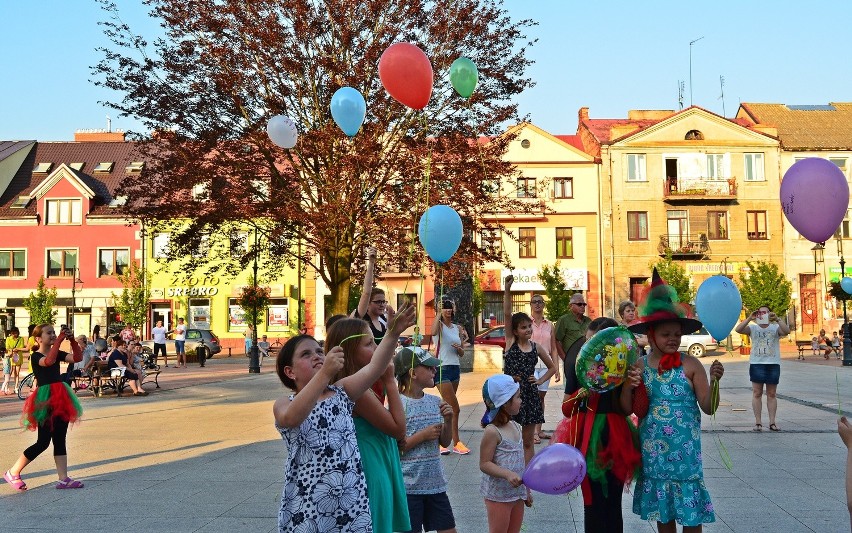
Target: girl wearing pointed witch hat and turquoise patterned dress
(671, 486)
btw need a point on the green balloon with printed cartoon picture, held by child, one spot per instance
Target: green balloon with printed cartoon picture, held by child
(603, 361)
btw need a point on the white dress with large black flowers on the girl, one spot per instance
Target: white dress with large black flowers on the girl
(324, 485)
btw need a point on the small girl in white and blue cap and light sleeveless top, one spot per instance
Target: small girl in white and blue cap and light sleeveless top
(501, 456)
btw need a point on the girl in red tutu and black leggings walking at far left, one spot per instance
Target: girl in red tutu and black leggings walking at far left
(51, 408)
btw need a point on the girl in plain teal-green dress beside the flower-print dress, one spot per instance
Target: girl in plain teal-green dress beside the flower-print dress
(377, 429)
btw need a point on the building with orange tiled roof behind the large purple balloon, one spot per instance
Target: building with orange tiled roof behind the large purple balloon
(810, 131)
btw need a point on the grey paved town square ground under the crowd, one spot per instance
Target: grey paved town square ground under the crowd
(205, 457)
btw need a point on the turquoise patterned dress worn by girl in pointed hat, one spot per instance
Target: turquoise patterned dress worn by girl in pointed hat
(671, 486)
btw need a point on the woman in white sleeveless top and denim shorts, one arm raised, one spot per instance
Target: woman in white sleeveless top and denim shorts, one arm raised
(450, 340)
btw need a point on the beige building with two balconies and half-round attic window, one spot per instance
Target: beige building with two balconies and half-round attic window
(692, 184)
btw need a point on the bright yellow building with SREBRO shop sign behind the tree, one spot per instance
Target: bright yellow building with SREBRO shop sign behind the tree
(209, 301)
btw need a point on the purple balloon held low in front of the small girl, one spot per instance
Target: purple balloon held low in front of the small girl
(557, 469)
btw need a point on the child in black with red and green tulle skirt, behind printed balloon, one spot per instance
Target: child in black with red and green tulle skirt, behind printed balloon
(596, 424)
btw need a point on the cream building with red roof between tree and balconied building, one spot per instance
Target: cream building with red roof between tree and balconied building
(554, 169)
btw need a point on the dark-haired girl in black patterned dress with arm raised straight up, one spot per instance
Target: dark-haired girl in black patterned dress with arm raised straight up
(519, 361)
